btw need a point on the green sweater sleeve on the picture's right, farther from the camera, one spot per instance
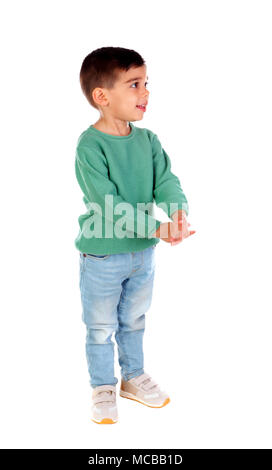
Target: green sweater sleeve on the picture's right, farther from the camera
(167, 188)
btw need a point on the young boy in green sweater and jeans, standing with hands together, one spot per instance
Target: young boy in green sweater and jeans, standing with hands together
(121, 168)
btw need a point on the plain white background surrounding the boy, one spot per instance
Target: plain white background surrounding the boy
(208, 331)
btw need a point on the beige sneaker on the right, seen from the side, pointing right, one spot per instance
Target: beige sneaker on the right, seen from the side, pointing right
(144, 390)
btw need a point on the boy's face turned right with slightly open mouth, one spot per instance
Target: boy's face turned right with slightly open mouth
(128, 93)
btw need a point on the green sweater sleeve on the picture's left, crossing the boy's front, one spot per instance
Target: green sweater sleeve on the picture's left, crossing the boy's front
(93, 178)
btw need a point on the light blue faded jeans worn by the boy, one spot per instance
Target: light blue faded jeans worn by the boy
(116, 292)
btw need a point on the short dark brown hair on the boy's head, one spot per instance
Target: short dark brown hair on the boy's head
(100, 68)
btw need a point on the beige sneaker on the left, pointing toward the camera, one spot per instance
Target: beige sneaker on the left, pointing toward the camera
(104, 408)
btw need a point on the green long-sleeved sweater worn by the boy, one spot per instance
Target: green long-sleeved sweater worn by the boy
(128, 169)
